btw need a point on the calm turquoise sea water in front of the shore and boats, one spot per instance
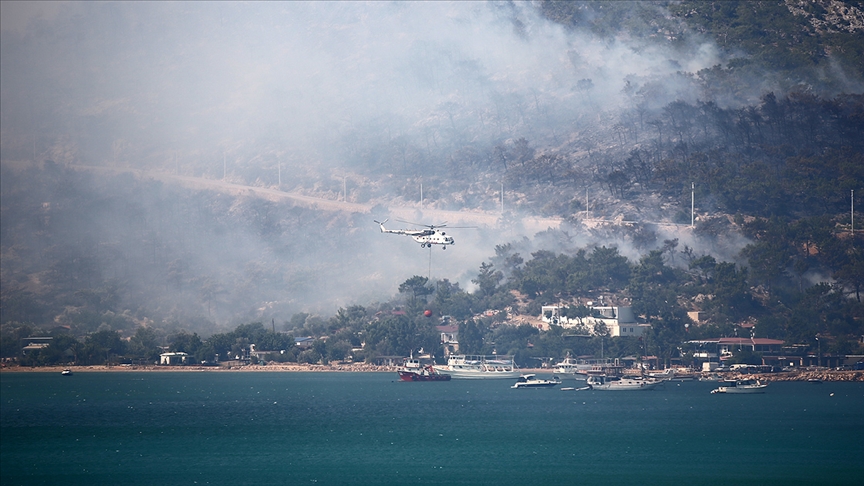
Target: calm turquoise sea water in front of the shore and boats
(368, 428)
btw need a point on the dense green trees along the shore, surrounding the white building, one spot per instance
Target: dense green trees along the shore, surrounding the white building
(780, 307)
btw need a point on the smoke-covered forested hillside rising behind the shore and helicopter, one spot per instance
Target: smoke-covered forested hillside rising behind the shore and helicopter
(614, 117)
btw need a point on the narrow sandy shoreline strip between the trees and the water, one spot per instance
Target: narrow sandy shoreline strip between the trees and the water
(802, 375)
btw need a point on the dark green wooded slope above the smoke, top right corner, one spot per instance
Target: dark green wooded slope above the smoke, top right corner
(768, 37)
